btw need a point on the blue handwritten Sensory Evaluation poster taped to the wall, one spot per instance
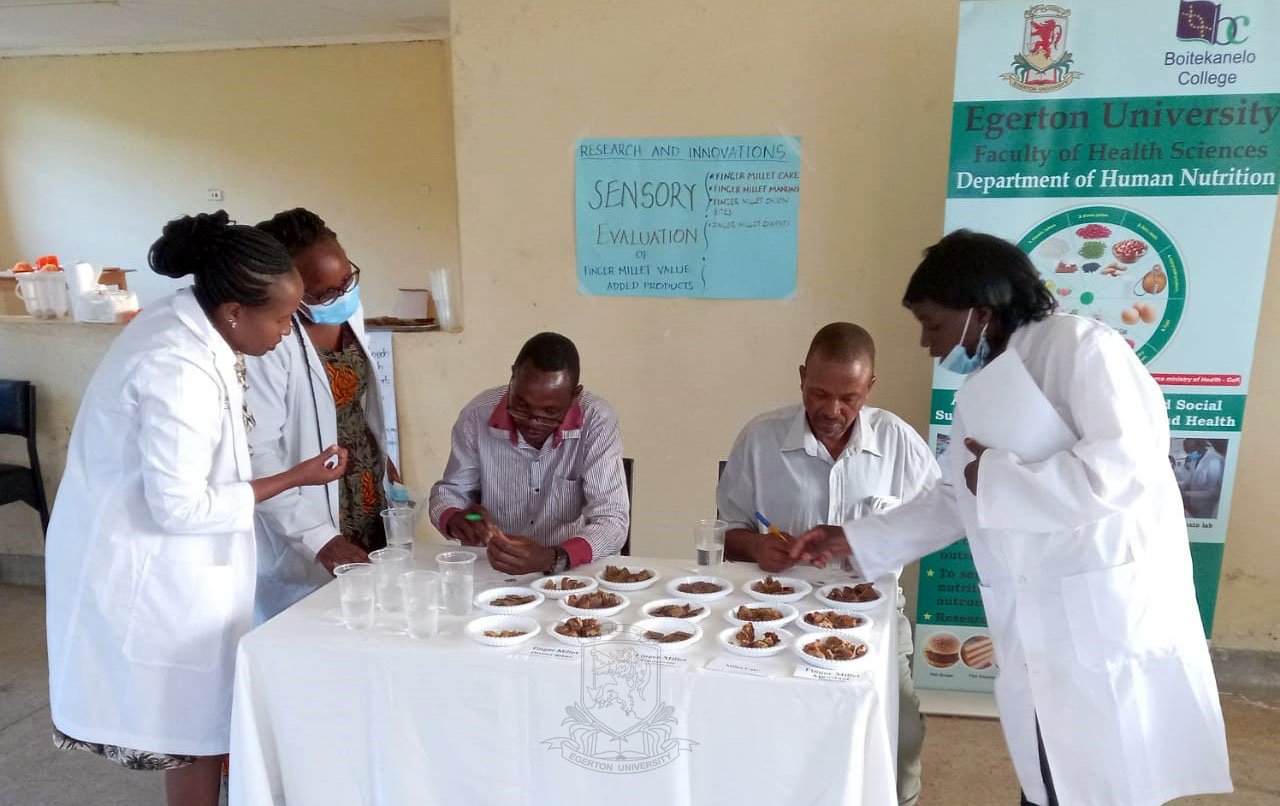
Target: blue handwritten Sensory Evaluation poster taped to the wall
(703, 217)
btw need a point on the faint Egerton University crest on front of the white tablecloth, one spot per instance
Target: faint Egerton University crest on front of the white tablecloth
(620, 723)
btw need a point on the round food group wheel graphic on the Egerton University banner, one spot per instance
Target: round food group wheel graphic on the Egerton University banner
(1116, 267)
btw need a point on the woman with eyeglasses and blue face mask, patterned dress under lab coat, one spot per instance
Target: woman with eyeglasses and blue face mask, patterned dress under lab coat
(318, 388)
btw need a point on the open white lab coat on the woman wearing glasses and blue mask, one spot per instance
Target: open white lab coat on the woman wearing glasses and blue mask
(296, 419)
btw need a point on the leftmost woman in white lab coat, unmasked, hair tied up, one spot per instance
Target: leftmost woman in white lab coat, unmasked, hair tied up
(150, 558)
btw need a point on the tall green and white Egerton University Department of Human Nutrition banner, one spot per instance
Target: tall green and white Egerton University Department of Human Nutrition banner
(1132, 150)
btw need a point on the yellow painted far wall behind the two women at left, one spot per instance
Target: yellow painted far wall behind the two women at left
(98, 153)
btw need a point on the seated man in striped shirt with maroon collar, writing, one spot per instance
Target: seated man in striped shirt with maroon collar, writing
(536, 469)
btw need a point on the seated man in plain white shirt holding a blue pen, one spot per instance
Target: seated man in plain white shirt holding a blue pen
(830, 460)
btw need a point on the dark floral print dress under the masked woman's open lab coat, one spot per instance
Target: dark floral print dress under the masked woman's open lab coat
(362, 500)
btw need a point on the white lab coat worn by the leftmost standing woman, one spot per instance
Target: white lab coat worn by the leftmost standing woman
(150, 561)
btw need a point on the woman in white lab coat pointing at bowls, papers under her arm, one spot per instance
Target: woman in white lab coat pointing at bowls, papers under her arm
(1105, 691)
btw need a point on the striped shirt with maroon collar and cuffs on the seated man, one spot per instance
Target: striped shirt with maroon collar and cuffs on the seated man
(572, 493)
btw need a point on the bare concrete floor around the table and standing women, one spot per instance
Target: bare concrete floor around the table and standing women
(964, 759)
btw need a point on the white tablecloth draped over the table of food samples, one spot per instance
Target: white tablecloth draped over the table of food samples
(330, 716)
